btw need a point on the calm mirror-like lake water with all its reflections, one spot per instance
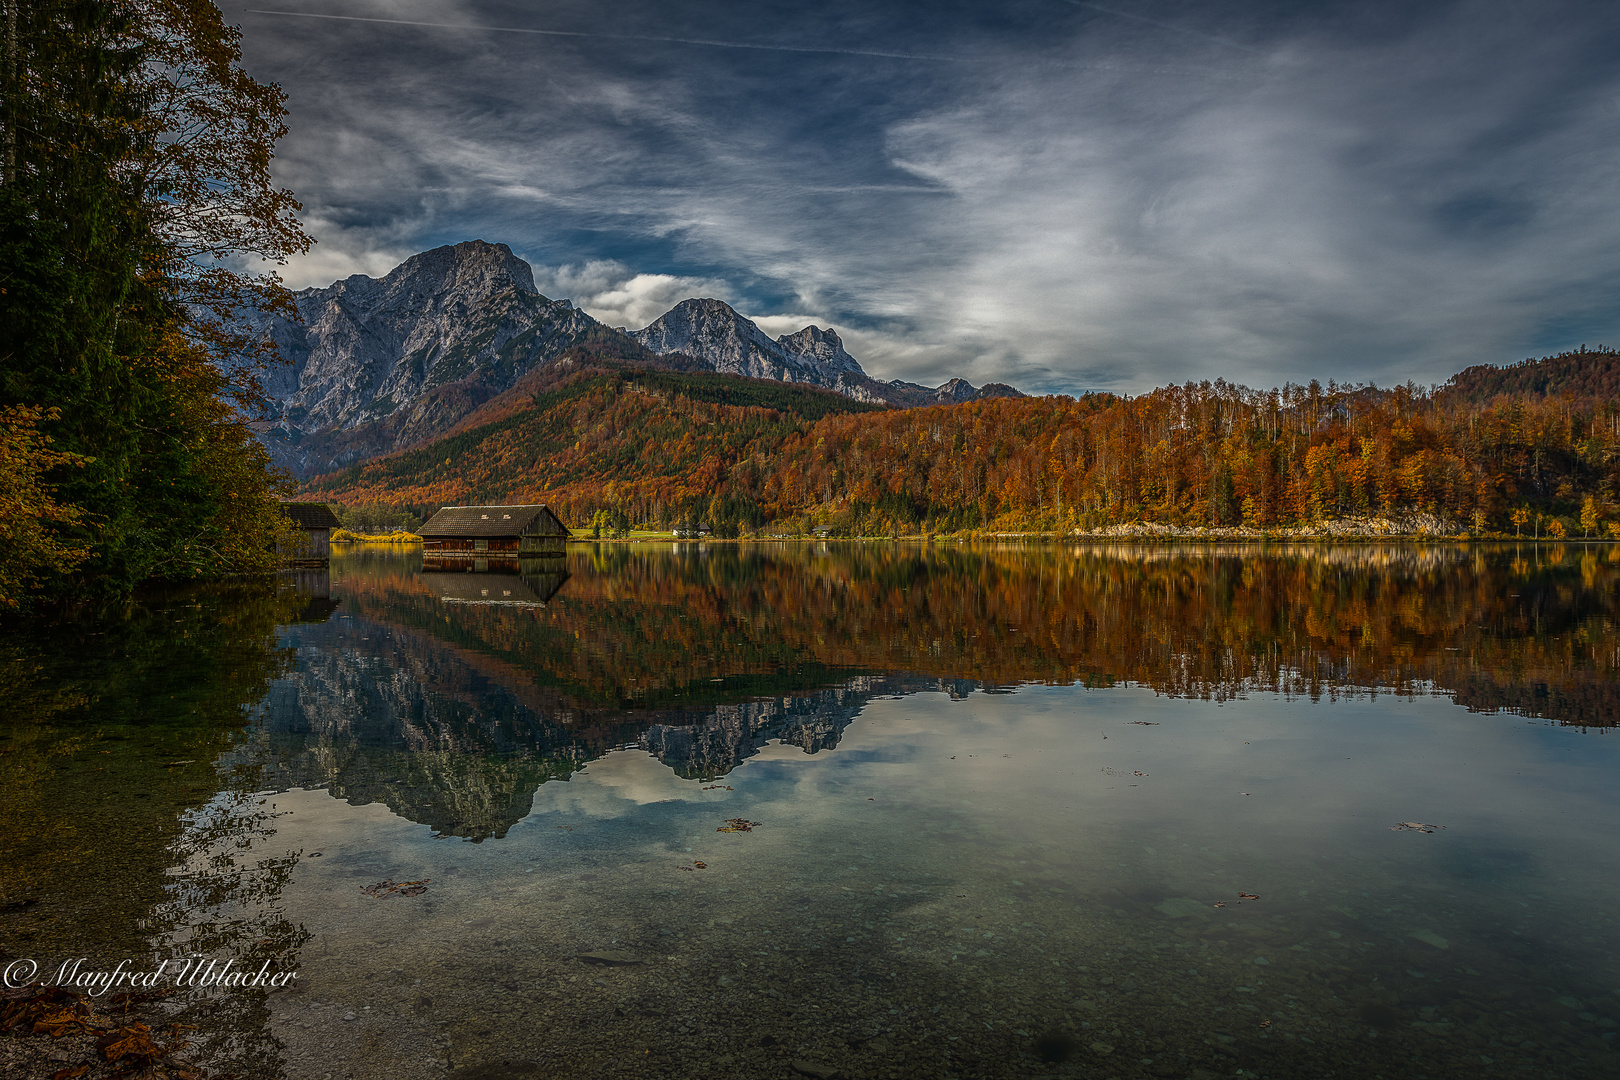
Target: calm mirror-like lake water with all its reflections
(893, 812)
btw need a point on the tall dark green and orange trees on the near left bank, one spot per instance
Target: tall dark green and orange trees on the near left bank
(134, 181)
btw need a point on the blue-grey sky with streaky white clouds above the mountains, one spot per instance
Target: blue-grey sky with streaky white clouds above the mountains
(1051, 193)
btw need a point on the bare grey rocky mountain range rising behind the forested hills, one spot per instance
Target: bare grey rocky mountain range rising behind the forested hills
(380, 365)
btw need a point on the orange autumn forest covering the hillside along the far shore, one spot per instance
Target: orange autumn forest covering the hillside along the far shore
(1213, 454)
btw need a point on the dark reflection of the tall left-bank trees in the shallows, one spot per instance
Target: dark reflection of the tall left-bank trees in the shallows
(119, 835)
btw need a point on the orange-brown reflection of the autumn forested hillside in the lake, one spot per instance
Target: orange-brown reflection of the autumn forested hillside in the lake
(629, 627)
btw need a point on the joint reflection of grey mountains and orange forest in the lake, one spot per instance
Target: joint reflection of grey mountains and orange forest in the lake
(453, 695)
